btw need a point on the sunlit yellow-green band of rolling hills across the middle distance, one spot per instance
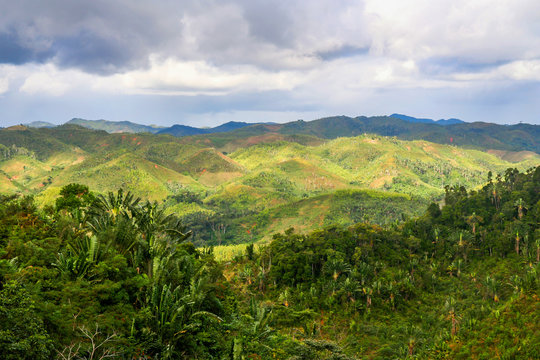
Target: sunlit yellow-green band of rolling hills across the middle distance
(263, 175)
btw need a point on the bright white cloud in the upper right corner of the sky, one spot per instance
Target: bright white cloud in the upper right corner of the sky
(481, 30)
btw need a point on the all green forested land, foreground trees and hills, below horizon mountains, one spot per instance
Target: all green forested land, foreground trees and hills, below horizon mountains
(250, 246)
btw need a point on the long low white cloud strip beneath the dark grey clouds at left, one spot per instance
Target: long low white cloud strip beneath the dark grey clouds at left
(166, 77)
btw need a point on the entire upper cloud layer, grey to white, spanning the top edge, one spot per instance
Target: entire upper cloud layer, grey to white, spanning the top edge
(105, 37)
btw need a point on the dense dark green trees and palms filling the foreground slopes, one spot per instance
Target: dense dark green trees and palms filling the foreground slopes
(95, 276)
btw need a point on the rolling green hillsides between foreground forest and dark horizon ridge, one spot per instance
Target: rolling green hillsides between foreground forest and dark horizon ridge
(269, 176)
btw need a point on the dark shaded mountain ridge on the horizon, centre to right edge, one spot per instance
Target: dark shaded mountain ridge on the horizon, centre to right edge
(478, 135)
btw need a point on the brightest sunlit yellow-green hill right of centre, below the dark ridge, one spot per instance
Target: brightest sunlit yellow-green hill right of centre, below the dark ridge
(371, 161)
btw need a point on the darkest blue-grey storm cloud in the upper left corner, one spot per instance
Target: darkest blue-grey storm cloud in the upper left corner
(96, 36)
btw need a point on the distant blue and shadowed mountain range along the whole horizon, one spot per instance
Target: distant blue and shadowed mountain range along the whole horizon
(477, 135)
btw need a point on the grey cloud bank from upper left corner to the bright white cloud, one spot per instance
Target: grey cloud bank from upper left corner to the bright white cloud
(114, 36)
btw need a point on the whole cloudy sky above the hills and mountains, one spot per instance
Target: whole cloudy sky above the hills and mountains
(204, 62)
